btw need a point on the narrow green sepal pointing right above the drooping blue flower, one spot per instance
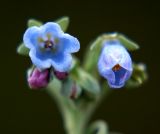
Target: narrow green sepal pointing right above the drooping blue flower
(129, 44)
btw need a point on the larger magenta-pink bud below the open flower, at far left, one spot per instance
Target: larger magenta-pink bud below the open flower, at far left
(38, 79)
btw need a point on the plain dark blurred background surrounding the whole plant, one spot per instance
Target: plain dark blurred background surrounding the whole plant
(23, 111)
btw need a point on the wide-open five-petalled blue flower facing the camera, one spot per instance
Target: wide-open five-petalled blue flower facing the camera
(50, 47)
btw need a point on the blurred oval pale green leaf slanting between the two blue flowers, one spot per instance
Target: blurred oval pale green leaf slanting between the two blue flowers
(86, 81)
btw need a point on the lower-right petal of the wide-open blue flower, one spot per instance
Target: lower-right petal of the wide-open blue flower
(62, 62)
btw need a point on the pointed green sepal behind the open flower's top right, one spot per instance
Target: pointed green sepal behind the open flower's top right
(63, 22)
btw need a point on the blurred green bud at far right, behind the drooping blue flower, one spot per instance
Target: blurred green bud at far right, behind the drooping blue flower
(138, 77)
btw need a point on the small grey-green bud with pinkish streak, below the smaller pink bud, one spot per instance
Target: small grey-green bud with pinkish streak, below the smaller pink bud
(70, 89)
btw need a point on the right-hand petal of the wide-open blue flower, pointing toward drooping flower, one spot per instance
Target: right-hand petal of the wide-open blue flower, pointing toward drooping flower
(69, 43)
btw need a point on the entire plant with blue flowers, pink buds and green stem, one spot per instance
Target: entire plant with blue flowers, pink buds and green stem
(78, 87)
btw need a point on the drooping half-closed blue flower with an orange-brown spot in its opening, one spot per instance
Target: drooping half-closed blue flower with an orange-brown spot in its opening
(115, 63)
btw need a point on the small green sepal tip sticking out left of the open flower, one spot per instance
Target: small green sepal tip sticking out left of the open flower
(22, 50)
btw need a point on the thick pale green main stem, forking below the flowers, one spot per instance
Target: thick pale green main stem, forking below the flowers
(75, 117)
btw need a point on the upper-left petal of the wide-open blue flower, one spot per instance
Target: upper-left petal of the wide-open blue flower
(30, 37)
